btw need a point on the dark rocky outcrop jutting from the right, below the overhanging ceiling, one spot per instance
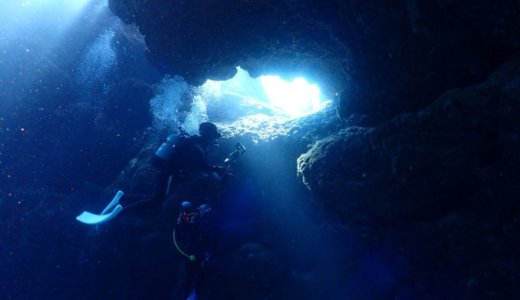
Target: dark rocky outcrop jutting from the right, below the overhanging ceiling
(436, 183)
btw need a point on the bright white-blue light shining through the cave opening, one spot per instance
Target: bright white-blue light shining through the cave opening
(267, 95)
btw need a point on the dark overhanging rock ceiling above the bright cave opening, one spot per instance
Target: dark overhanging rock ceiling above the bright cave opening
(381, 58)
